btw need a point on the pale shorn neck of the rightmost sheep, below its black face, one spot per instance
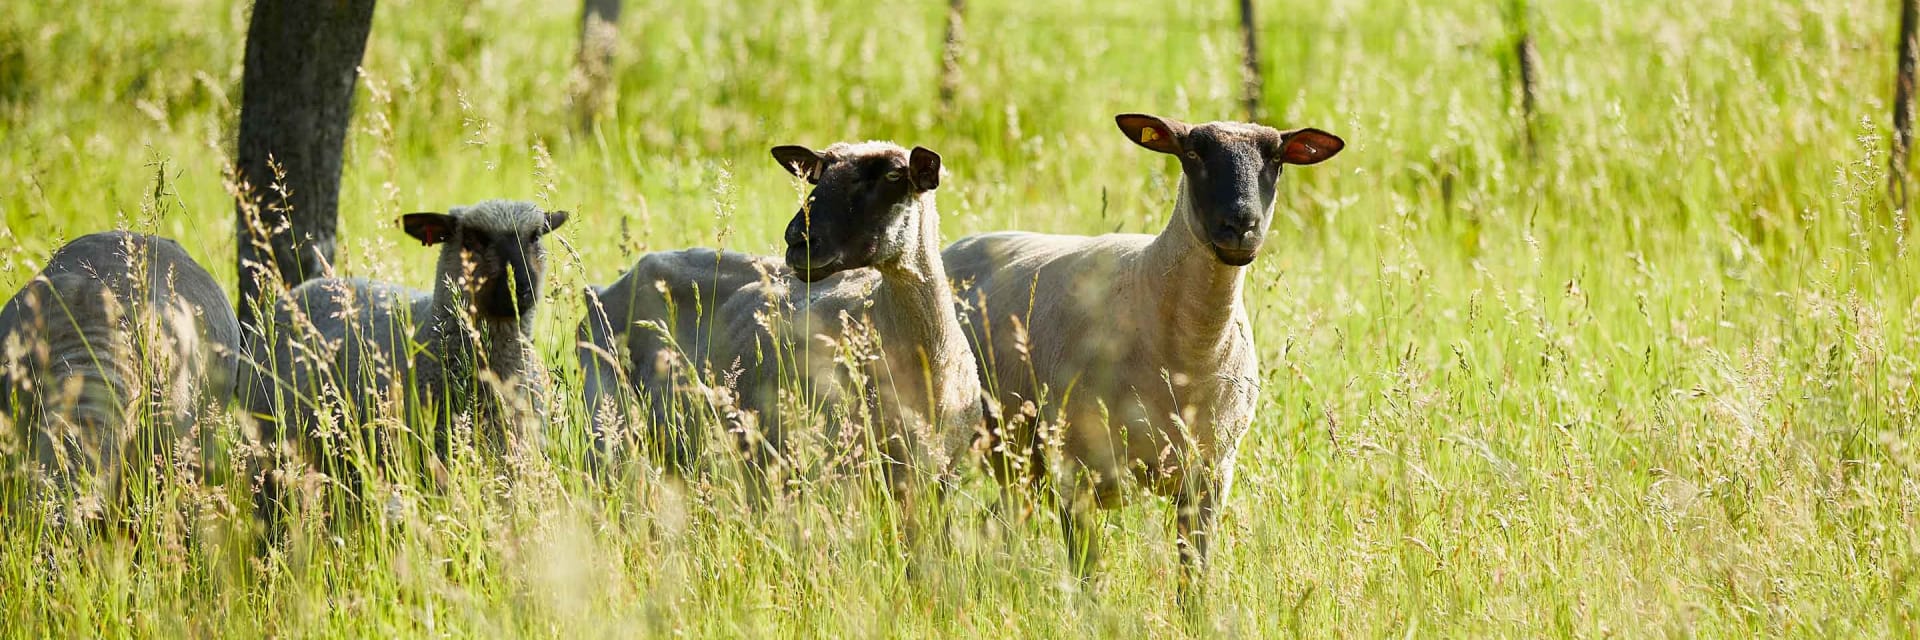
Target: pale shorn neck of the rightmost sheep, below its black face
(1188, 285)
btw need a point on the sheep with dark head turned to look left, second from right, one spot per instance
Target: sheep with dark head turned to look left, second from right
(863, 262)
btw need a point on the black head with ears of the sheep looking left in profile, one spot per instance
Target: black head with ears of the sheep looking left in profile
(863, 210)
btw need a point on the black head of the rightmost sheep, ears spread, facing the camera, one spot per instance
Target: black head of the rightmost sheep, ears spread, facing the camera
(1230, 170)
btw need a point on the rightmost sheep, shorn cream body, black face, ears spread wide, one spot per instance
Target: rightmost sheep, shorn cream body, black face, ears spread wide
(1136, 349)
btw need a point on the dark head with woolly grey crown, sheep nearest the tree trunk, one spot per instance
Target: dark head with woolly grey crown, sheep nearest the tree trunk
(492, 255)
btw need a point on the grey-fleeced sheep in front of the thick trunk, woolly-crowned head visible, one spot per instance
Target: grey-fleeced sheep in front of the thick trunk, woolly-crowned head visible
(341, 351)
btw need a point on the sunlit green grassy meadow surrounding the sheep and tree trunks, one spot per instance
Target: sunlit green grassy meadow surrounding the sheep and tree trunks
(1654, 378)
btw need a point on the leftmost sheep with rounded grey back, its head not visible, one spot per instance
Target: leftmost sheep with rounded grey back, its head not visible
(114, 353)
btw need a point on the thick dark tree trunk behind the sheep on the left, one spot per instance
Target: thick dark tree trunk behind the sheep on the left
(302, 62)
